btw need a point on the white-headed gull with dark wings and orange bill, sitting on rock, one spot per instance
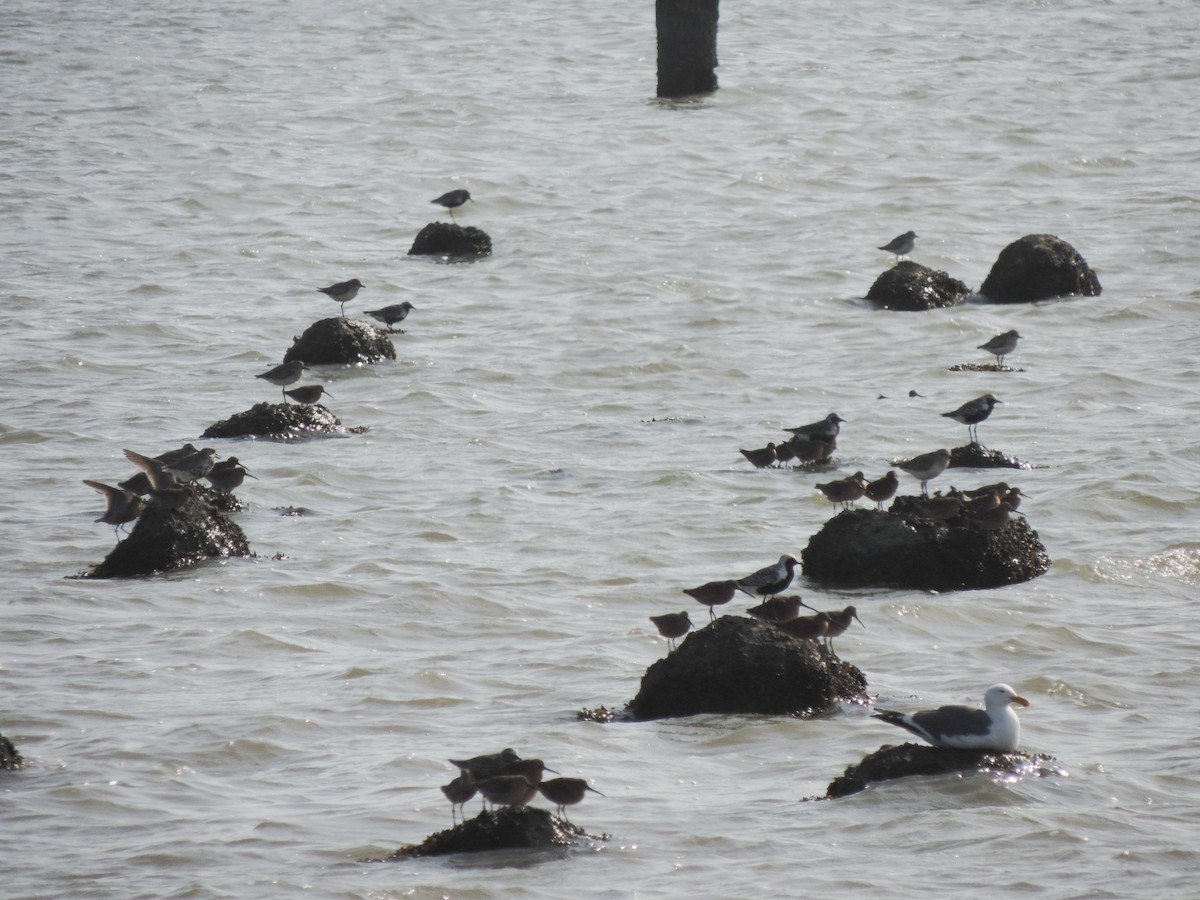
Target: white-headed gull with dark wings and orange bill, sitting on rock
(994, 728)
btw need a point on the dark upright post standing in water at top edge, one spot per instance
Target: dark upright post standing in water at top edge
(687, 47)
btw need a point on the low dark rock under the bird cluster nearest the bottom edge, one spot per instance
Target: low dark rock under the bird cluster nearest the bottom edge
(509, 829)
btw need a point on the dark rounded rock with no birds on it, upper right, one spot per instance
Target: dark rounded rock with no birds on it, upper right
(1037, 267)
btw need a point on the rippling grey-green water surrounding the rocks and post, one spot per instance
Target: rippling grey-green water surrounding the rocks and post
(554, 455)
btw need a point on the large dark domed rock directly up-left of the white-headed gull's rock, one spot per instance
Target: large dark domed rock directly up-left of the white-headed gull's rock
(742, 665)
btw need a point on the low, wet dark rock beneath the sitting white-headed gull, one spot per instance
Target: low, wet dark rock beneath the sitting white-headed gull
(890, 763)
